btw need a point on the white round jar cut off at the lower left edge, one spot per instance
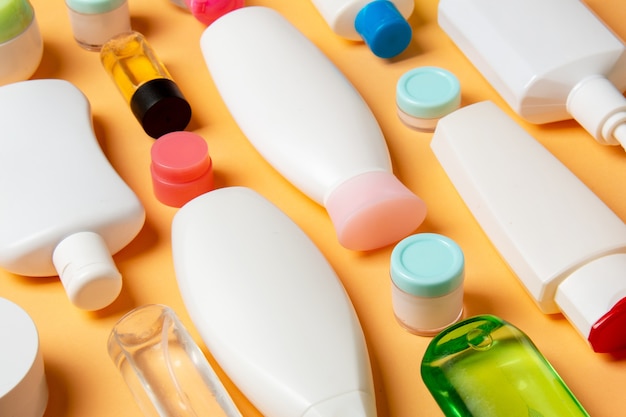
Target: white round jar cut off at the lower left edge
(23, 387)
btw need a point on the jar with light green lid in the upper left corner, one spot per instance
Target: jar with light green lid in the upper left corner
(21, 45)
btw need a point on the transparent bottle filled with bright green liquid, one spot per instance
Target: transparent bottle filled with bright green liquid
(486, 367)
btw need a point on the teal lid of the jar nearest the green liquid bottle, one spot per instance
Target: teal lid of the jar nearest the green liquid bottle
(427, 265)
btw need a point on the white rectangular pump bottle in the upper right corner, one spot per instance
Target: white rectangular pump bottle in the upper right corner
(549, 60)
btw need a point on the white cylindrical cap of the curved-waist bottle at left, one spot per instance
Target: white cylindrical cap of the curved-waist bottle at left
(87, 271)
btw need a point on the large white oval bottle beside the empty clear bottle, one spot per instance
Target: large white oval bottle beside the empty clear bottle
(270, 308)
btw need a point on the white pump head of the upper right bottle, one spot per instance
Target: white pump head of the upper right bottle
(600, 108)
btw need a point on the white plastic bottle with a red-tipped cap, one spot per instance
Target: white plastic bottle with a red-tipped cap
(564, 244)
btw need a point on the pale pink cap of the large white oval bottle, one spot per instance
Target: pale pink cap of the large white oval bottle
(373, 210)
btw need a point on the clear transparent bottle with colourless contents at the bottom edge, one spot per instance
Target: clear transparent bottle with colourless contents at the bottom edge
(165, 370)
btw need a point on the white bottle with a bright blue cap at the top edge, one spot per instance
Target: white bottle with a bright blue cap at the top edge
(381, 24)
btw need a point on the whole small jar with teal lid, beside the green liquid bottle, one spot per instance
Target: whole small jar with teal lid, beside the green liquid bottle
(427, 274)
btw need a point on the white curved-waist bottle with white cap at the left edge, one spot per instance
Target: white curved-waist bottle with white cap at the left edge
(63, 208)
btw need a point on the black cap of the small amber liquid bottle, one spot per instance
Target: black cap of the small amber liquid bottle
(160, 107)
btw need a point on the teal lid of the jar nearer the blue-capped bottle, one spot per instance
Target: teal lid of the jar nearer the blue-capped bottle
(428, 92)
